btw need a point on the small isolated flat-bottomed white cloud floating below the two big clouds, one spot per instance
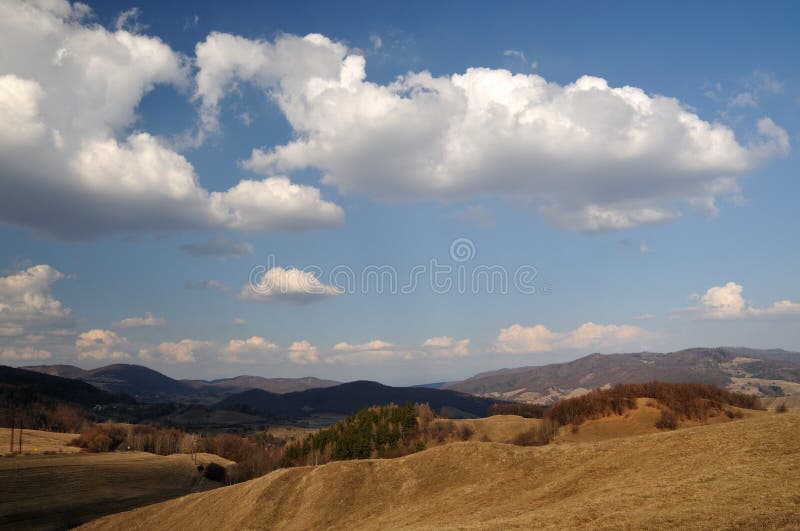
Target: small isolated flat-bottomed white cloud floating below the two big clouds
(279, 284)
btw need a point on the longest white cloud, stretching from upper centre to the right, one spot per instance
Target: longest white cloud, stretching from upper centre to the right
(590, 157)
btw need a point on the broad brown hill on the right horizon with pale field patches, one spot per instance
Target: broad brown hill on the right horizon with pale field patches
(766, 372)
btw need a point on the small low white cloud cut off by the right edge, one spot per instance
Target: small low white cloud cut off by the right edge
(727, 302)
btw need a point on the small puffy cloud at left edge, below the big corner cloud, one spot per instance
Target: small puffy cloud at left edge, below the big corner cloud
(27, 302)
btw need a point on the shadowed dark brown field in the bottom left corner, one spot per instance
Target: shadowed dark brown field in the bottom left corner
(60, 491)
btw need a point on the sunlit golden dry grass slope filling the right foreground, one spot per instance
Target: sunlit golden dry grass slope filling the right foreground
(743, 474)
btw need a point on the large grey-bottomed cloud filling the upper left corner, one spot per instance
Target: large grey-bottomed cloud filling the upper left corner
(68, 99)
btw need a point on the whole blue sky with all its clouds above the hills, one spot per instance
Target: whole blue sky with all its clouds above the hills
(403, 192)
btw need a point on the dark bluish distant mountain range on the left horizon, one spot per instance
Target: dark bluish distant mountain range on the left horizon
(148, 385)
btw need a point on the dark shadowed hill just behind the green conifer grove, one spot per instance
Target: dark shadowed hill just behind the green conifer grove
(346, 399)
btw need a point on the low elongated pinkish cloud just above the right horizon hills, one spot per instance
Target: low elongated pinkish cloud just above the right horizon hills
(518, 339)
